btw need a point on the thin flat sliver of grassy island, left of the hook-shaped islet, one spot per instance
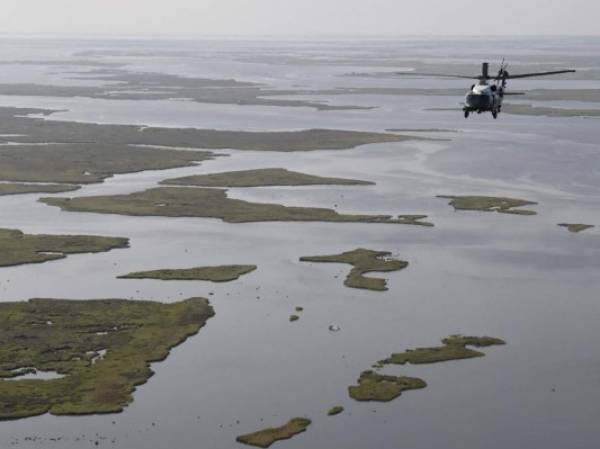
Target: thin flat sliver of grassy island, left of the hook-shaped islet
(223, 273)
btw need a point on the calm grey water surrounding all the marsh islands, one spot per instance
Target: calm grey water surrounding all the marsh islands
(519, 278)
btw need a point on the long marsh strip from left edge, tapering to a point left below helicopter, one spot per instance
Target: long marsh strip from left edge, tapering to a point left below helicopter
(28, 130)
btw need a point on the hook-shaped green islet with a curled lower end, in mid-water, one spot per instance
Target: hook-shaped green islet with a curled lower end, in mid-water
(363, 261)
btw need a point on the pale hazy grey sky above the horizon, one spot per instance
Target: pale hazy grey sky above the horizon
(263, 17)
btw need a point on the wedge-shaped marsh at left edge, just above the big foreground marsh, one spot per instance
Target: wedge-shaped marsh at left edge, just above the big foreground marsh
(17, 248)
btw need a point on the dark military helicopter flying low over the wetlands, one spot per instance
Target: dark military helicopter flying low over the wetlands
(485, 97)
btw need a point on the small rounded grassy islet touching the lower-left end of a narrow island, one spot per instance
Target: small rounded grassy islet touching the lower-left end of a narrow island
(380, 388)
